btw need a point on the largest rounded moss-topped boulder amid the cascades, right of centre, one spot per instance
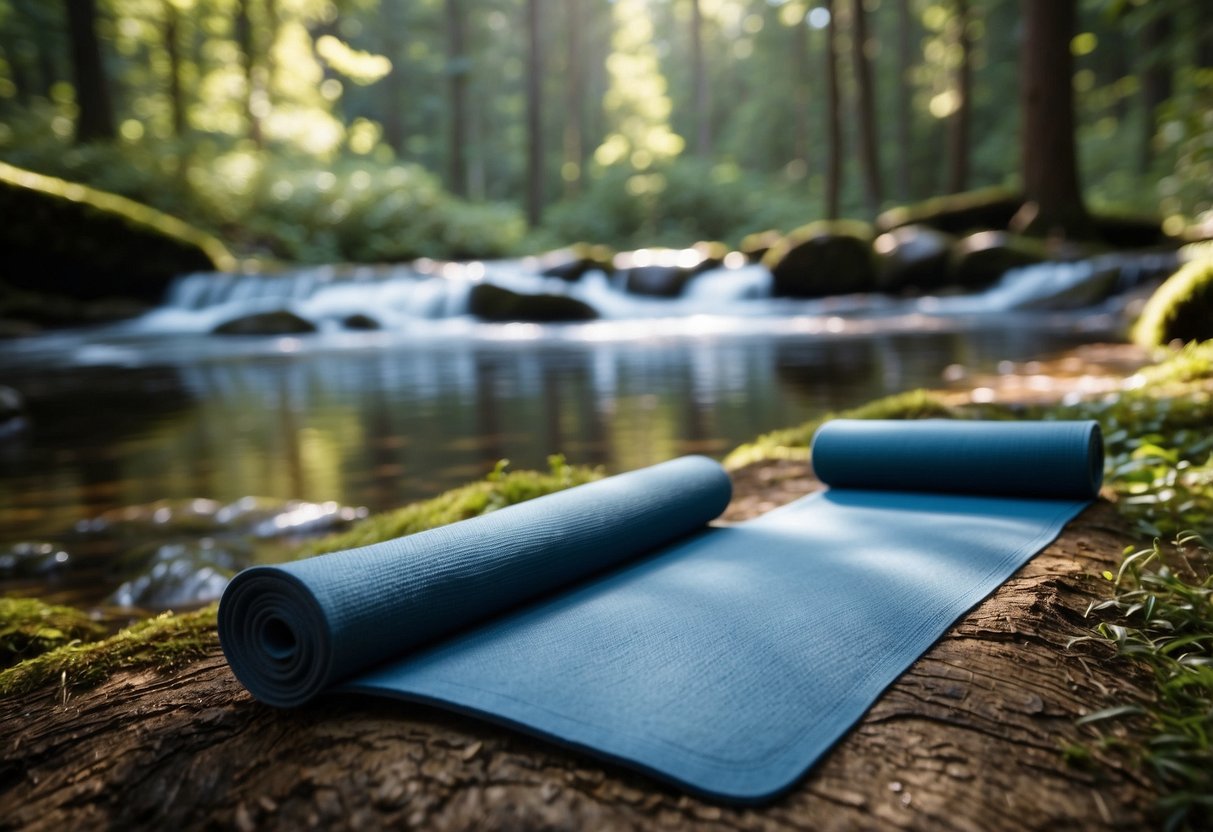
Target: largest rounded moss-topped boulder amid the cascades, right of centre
(823, 259)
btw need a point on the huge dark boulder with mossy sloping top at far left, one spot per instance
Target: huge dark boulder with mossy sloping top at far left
(70, 240)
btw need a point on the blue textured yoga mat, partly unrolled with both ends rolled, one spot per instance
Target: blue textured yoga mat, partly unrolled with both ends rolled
(726, 659)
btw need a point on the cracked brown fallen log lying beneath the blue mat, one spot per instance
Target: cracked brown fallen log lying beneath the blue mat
(971, 738)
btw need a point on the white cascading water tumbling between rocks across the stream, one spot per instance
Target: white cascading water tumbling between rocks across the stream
(405, 298)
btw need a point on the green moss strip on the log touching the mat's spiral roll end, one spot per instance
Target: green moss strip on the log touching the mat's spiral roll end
(162, 643)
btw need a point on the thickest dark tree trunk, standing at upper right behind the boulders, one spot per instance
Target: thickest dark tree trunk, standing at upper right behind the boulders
(1053, 202)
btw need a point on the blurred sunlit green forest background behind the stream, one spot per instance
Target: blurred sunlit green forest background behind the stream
(384, 130)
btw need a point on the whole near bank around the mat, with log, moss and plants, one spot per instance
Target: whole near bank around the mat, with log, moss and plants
(995, 710)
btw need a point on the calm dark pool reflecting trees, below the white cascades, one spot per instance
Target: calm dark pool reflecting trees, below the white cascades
(381, 428)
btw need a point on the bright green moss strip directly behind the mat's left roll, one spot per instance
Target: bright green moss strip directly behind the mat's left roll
(500, 489)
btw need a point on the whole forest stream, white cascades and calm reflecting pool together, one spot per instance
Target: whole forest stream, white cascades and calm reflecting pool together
(156, 409)
